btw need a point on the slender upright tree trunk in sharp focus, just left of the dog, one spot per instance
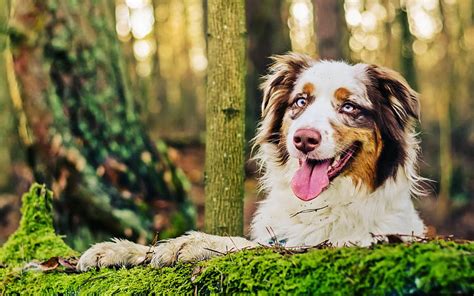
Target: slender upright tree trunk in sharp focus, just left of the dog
(225, 111)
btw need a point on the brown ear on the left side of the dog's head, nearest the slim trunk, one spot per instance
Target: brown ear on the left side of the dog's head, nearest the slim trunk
(279, 81)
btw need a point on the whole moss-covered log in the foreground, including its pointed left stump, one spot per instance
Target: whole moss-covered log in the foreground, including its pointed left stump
(439, 267)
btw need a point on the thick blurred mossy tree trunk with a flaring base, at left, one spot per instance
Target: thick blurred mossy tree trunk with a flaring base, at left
(86, 140)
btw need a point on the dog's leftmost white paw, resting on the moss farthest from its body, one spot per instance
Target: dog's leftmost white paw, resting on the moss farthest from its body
(114, 253)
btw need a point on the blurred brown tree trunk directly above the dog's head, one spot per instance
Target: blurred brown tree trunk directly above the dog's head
(331, 29)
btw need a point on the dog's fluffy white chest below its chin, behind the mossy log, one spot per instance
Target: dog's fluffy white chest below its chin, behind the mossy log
(337, 218)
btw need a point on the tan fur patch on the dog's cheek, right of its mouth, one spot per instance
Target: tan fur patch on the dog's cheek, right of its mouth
(363, 168)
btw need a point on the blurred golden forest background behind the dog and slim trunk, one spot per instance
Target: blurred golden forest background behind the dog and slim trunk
(161, 58)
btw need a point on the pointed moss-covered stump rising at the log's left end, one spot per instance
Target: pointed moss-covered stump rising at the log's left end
(35, 238)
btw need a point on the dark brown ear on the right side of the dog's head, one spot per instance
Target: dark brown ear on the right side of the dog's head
(395, 100)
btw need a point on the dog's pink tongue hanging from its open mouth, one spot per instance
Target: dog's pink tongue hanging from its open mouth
(310, 180)
